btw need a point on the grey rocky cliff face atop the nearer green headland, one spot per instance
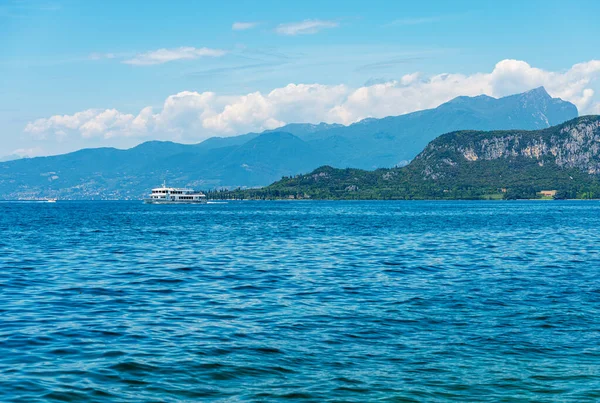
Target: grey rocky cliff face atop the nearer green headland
(572, 145)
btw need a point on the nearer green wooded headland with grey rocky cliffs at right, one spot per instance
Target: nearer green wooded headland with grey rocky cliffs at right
(563, 160)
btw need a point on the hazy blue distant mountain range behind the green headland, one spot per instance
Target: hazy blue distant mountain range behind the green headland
(259, 159)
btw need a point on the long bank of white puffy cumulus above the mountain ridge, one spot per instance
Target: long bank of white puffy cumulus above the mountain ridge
(195, 116)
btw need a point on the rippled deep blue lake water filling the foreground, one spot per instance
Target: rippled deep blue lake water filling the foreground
(300, 301)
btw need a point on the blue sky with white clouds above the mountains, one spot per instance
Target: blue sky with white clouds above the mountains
(78, 74)
